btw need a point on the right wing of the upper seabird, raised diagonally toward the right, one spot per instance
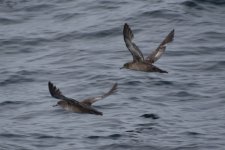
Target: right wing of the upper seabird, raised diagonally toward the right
(155, 55)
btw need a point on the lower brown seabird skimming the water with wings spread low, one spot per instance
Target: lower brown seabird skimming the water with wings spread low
(73, 105)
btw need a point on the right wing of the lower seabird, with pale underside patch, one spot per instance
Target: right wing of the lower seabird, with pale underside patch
(91, 100)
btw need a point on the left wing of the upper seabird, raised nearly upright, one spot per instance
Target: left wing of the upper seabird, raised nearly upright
(133, 48)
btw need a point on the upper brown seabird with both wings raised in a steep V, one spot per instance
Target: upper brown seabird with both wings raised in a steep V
(140, 63)
